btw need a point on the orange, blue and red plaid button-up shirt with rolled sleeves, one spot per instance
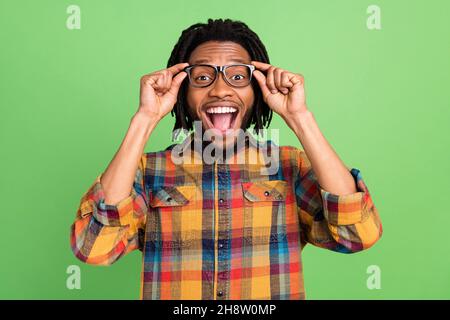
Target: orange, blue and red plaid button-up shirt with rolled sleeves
(223, 231)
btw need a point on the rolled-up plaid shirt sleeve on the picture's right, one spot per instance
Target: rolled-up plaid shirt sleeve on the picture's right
(343, 223)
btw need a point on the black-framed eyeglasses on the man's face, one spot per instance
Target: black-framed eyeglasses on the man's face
(236, 75)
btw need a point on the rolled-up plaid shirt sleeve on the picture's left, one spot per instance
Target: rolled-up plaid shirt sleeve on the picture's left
(102, 233)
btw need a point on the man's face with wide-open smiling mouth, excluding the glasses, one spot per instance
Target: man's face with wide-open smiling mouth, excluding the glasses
(220, 106)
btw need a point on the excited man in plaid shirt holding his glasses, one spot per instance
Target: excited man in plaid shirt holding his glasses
(223, 229)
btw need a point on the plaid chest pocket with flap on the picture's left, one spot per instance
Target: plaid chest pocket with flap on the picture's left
(175, 220)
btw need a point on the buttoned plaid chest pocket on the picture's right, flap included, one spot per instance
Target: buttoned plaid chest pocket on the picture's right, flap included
(264, 212)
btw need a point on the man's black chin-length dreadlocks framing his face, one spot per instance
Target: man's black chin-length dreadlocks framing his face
(219, 30)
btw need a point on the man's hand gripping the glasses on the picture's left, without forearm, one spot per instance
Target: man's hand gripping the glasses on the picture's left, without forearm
(159, 90)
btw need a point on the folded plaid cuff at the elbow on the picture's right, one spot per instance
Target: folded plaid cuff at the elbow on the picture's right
(350, 208)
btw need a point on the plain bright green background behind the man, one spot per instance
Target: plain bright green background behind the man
(381, 97)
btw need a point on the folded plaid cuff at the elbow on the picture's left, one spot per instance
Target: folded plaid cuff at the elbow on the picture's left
(93, 202)
